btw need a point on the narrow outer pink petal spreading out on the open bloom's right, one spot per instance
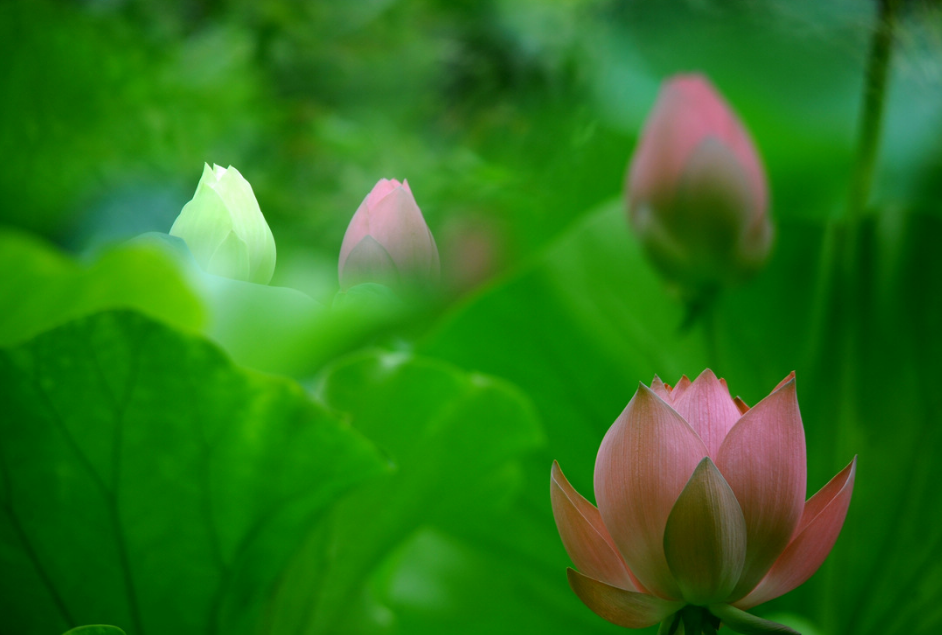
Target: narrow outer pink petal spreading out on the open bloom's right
(817, 532)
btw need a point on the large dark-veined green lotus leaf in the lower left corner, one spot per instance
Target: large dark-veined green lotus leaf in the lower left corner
(148, 483)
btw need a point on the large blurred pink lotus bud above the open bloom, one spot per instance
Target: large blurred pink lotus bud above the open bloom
(697, 191)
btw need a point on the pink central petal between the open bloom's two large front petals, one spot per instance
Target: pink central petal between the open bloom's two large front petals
(708, 408)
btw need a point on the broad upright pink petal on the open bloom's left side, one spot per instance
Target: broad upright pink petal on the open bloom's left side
(643, 464)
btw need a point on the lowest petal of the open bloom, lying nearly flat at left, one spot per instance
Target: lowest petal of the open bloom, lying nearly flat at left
(618, 606)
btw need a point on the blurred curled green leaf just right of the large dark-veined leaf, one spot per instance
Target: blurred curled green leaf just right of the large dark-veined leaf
(455, 440)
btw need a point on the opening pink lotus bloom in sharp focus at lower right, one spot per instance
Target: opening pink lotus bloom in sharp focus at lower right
(701, 510)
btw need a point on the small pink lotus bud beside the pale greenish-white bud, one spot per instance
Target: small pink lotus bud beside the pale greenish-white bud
(388, 241)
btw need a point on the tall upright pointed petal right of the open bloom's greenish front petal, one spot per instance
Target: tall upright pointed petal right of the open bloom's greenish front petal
(763, 460)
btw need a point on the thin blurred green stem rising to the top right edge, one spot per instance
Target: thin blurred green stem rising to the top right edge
(871, 122)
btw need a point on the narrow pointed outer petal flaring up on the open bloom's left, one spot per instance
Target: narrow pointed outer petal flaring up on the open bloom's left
(584, 535)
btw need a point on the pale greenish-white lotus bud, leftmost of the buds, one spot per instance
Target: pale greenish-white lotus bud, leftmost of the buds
(224, 228)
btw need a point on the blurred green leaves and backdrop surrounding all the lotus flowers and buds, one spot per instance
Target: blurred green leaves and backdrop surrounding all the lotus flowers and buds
(307, 474)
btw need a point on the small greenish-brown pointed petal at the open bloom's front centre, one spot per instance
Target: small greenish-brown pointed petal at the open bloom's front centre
(705, 537)
